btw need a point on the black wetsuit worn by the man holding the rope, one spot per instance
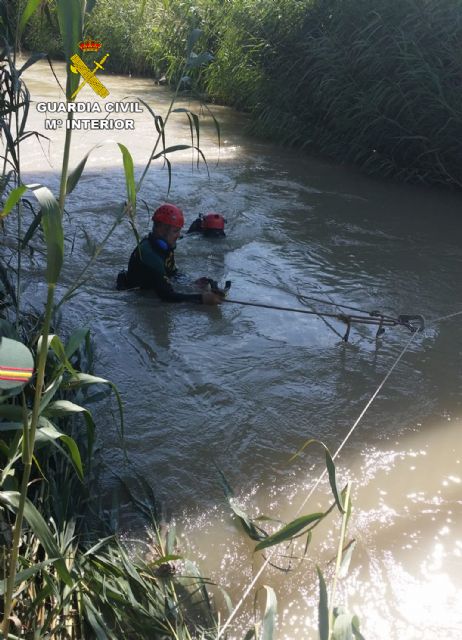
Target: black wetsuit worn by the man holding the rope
(151, 266)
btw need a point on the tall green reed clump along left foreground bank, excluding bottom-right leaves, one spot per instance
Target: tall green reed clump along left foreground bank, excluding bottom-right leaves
(57, 586)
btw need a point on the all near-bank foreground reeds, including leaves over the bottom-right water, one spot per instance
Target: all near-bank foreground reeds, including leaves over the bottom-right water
(66, 572)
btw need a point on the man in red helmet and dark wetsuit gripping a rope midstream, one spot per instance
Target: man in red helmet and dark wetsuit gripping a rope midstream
(152, 262)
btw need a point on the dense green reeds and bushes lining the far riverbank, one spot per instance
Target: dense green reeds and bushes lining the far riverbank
(367, 83)
